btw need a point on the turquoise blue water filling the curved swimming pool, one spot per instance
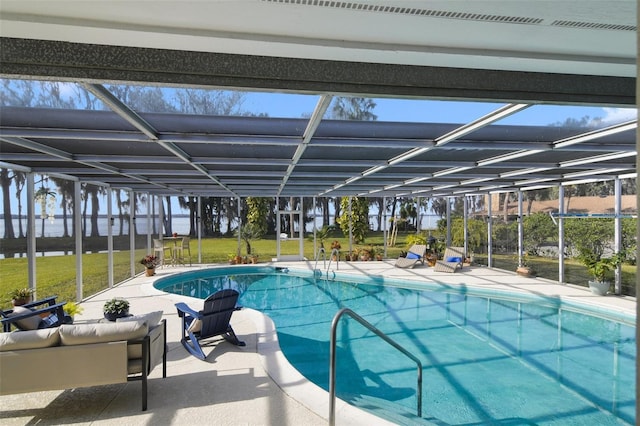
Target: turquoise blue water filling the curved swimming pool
(488, 357)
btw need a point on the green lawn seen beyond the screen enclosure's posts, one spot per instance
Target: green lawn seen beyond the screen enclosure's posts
(56, 275)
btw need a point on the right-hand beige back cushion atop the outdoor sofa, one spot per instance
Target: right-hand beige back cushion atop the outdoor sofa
(83, 334)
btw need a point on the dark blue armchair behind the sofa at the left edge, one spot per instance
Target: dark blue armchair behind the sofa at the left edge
(43, 313)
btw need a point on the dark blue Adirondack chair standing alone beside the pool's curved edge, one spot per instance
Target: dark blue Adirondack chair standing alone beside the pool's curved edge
(211, 321)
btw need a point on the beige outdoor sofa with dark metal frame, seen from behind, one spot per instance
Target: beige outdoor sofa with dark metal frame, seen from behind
(82, 355)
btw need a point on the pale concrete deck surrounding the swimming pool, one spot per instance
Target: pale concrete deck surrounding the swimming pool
(251, 385)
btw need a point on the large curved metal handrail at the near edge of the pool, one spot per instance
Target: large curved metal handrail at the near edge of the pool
(332, 360)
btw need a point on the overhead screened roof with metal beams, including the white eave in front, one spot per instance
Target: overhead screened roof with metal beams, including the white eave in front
(527, 98)
